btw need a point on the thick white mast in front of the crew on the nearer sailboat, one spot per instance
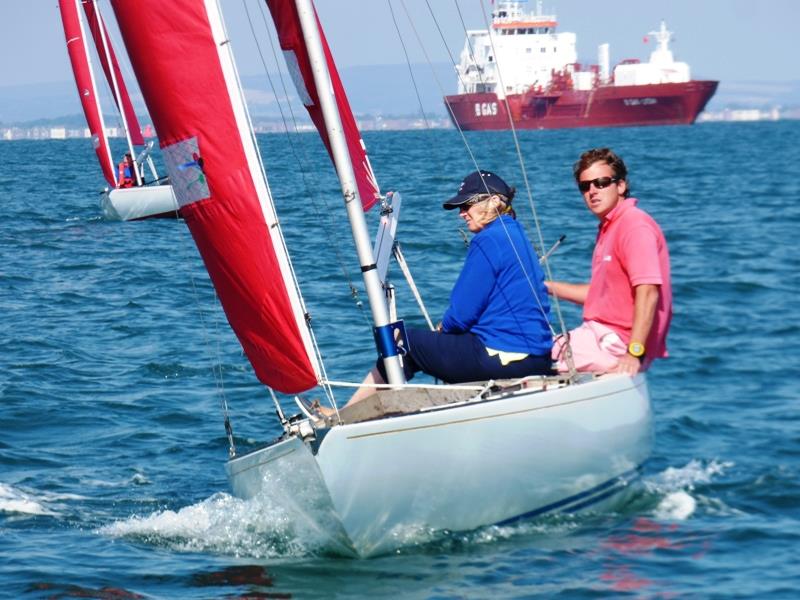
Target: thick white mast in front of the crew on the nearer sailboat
(347, 178)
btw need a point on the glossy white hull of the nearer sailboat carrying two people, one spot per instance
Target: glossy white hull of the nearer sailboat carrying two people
(466, 466)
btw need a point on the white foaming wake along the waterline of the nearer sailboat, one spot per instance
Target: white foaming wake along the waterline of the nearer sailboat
(264, 527)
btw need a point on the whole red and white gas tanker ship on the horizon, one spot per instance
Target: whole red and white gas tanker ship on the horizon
(524, 72)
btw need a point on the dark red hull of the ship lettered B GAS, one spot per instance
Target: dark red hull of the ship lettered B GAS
(607, 106)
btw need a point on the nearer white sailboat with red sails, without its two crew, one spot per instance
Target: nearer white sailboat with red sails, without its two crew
(411, 458)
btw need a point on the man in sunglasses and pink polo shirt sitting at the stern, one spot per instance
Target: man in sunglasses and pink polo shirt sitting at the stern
(627, 305)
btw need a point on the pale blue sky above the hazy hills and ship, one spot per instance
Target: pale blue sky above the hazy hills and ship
(735, 40)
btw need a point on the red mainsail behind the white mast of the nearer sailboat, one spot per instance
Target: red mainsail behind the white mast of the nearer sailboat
(290, 35)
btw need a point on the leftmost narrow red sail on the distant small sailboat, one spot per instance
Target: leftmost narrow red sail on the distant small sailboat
(81, 68)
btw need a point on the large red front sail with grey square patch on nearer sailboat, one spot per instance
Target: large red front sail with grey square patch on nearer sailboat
(182, 62)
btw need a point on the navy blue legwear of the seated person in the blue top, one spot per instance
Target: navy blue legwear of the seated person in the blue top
(461, 357)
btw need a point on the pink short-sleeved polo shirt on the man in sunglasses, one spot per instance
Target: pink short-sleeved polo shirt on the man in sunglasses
(630, 250)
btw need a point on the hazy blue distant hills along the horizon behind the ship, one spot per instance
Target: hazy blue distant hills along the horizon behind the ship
(374, 90)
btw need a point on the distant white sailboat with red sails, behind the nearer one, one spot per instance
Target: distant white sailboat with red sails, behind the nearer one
(131, 196)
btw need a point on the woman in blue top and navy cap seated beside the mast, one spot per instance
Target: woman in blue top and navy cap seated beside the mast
(496, 326)
